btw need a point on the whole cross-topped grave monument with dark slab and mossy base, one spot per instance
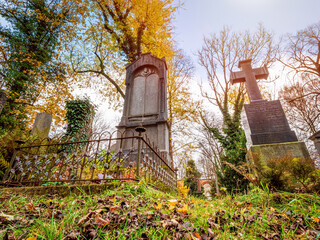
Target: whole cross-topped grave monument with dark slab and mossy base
(266, 126)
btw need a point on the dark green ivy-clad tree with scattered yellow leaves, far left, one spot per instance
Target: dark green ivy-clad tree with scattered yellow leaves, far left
(27, 48)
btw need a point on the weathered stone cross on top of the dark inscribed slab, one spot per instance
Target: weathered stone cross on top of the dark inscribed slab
(250, 76)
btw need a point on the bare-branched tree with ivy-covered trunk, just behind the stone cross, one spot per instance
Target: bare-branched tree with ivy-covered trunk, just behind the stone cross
(219, 55)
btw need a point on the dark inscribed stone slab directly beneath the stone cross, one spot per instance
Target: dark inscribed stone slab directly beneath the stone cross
(266, 123)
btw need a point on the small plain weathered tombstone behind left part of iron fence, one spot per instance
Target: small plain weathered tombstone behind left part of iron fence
(42, 124)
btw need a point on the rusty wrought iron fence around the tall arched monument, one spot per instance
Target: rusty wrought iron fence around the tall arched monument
(126, 156)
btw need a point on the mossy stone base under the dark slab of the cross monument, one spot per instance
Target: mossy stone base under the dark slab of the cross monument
(265, 152)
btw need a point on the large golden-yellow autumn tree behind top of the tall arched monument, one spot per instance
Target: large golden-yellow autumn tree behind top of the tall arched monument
(117, 32)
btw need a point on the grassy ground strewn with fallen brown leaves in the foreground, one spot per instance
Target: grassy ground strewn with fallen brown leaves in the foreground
(139, 211)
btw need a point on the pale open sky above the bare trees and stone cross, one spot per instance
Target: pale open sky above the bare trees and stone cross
(200, 18)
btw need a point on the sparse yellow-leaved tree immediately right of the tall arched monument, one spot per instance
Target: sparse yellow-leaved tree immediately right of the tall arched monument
(182, 109)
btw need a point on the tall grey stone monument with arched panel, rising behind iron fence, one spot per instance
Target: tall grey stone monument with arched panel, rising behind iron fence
(146, 101)
